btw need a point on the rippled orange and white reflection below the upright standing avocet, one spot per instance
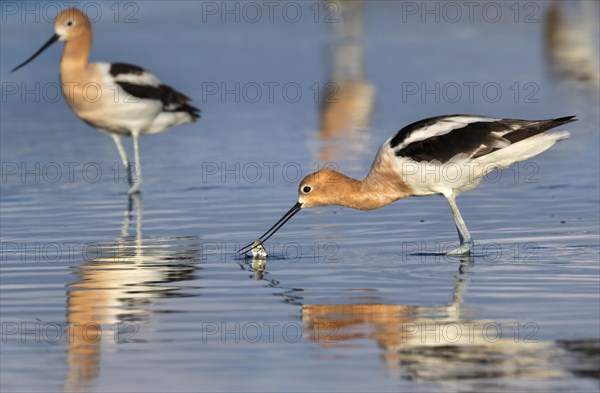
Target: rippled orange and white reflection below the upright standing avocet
(117, 290)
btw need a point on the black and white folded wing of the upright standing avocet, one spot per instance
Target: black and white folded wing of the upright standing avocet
(139, 83)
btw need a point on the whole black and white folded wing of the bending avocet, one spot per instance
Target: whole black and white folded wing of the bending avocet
(441, 138)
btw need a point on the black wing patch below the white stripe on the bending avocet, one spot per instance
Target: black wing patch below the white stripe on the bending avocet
(477, 139)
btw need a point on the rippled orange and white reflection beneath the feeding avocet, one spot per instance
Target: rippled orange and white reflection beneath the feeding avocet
(441, 344)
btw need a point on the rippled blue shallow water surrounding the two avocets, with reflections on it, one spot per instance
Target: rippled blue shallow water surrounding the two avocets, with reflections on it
(104, 293)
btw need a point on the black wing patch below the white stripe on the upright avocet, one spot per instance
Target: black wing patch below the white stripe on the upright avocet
(172, 100)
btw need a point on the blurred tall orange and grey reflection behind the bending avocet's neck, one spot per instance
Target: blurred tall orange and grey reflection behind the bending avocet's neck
(347, 99)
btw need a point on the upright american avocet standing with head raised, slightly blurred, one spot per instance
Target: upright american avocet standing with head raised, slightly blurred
(118, 99)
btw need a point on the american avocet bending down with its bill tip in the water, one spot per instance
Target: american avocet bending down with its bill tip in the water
(442, 155)
